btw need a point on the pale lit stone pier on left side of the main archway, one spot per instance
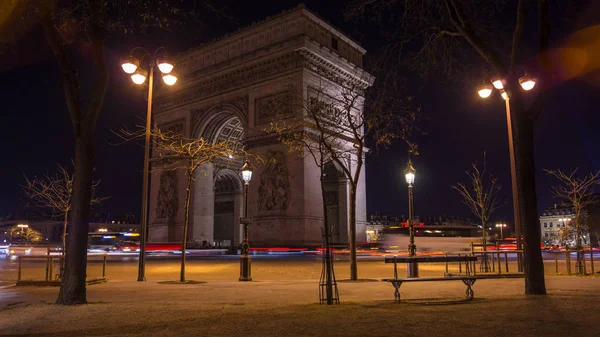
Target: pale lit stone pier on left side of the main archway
(204, 205)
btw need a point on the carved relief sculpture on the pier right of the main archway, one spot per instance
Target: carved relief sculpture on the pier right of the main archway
(273, 191)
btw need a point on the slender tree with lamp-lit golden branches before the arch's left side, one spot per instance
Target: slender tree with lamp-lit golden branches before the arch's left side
(176, 151)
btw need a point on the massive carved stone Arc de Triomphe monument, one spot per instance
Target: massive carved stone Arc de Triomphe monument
(223, 89)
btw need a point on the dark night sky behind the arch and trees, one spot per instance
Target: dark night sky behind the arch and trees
(36, 132)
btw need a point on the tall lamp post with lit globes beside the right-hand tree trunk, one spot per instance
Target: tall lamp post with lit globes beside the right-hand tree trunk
(527, 83)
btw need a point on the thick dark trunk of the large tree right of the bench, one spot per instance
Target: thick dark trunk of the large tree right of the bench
(523, 138)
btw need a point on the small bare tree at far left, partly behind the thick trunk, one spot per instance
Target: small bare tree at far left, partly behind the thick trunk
(55, 192)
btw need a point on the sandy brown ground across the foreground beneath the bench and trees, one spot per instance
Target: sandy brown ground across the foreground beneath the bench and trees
(289, 308)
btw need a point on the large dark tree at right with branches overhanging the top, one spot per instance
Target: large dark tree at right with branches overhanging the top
(450, 37)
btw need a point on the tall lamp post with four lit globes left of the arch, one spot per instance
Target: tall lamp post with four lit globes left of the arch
(136, 67)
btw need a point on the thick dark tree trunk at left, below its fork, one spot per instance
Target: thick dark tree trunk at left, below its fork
(72, 287)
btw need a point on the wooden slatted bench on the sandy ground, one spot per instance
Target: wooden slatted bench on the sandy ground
(467, 278)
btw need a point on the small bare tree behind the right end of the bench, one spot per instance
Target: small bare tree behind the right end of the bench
(481, 196)
